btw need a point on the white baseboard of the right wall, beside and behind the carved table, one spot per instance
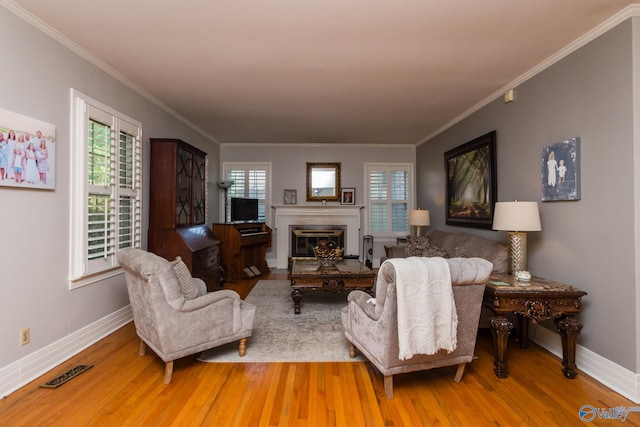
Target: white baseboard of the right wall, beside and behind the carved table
(611, 375)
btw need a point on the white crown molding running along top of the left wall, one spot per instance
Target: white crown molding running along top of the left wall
(38, 23)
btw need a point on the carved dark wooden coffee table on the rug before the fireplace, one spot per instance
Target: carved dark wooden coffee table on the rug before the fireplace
(347, 275)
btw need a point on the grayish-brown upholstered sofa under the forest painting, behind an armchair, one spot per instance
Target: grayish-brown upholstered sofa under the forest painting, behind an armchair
(451, 245)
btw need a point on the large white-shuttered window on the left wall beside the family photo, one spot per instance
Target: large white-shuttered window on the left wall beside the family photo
(106, 189)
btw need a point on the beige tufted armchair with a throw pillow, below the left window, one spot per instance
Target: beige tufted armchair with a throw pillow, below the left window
(174, 314)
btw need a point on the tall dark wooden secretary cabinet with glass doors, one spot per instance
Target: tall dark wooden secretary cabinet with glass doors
(177, 209)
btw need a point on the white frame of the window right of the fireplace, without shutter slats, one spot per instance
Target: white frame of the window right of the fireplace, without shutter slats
(411, 197)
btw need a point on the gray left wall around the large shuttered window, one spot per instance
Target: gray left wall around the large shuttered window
(35, 80)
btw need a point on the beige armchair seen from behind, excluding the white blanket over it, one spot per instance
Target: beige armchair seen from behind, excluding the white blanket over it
(373, 328)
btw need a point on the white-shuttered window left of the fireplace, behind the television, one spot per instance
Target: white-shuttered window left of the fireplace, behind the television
(250, 180)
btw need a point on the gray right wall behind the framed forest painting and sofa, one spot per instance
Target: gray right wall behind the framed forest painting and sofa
(589, 243)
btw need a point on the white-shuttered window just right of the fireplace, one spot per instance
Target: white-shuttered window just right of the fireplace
(388, 198)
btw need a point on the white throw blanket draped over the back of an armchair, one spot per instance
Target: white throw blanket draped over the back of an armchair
(427, 318)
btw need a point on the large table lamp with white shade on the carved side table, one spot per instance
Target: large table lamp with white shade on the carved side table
(516, 218)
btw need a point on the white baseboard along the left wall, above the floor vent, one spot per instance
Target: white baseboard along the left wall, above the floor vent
(25, 370)
